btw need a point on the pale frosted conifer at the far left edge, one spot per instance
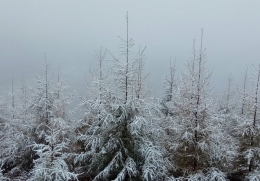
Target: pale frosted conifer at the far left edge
(15, 157)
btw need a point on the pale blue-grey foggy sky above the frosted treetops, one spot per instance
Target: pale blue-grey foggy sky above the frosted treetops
(71, 31)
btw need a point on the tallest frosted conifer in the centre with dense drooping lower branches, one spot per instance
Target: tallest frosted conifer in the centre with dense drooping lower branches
(119, 142)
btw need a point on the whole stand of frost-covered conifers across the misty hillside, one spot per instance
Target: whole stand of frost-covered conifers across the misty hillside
(124, 133)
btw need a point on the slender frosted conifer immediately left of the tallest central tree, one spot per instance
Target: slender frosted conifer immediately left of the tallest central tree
(96, 107)
